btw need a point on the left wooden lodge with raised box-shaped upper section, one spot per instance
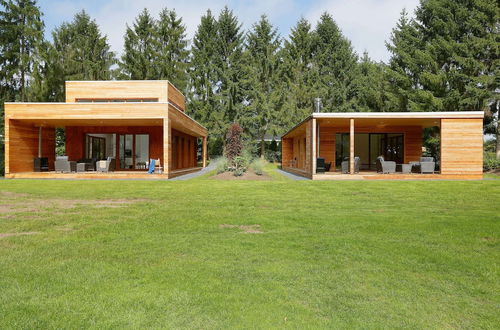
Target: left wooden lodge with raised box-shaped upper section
(130, 121)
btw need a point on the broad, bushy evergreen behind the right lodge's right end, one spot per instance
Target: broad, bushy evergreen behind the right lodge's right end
(449, 53)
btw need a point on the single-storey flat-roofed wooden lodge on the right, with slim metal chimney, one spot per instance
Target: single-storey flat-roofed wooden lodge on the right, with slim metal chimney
(334, 138)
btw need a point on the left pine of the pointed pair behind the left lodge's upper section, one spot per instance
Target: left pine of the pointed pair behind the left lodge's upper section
(140, 49)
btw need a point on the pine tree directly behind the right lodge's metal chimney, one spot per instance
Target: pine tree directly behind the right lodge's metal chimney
(336, 65)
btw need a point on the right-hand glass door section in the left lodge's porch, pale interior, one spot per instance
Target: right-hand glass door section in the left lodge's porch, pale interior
(133, 151)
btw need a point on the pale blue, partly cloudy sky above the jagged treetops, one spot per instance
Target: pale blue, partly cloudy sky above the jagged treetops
(367, 23)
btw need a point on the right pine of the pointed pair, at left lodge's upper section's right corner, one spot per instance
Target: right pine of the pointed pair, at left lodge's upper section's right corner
(172, 51)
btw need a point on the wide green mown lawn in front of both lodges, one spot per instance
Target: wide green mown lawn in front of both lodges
(362, 254)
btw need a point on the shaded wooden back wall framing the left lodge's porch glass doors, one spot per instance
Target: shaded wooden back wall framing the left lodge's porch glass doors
(75, 138)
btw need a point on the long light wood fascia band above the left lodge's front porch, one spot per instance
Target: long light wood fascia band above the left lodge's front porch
(85, 111)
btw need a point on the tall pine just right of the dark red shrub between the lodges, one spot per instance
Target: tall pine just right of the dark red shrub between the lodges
(261, 113)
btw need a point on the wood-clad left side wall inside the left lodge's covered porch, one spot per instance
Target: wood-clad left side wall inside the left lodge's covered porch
(22, 141)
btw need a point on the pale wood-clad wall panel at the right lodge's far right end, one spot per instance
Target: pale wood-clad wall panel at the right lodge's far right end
(461, 146)
